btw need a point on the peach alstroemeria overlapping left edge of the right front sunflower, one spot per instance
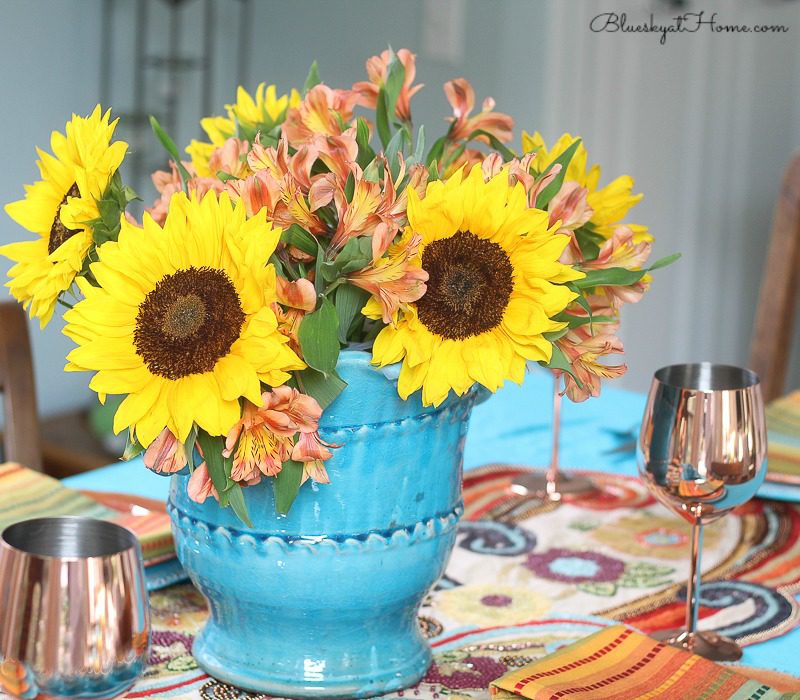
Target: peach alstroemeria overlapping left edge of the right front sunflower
(395, 279)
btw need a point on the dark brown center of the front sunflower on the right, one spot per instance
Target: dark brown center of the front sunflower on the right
(470, 281)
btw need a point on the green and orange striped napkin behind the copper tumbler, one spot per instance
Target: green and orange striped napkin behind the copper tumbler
(26, 494)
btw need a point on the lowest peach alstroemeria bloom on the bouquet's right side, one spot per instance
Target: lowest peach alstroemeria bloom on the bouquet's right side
(584, 350)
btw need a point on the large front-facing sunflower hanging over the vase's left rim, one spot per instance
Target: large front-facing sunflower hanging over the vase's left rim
(181, 321)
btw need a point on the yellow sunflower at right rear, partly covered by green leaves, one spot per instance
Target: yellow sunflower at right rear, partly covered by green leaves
(610, 204)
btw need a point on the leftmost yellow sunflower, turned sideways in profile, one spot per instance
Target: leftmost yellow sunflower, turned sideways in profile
(57, 208)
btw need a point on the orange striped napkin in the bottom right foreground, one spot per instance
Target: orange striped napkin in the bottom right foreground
(620, 663)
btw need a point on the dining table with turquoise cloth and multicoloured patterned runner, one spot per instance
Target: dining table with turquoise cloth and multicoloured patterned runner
(537, 568)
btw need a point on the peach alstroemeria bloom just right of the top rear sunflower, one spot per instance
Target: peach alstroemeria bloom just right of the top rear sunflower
(322, 111)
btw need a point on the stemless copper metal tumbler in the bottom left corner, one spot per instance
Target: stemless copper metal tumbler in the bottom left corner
(74, 617)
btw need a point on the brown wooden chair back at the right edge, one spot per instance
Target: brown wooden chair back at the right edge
(770, 349)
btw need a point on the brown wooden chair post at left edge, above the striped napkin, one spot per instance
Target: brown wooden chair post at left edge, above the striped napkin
(21, 435)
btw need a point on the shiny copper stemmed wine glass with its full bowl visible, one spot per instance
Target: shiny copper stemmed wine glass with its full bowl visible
(702, 452)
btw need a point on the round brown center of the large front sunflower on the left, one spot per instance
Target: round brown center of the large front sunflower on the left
(188, 322)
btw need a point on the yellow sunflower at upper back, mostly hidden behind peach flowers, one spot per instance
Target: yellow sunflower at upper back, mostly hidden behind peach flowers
(252, 113)
